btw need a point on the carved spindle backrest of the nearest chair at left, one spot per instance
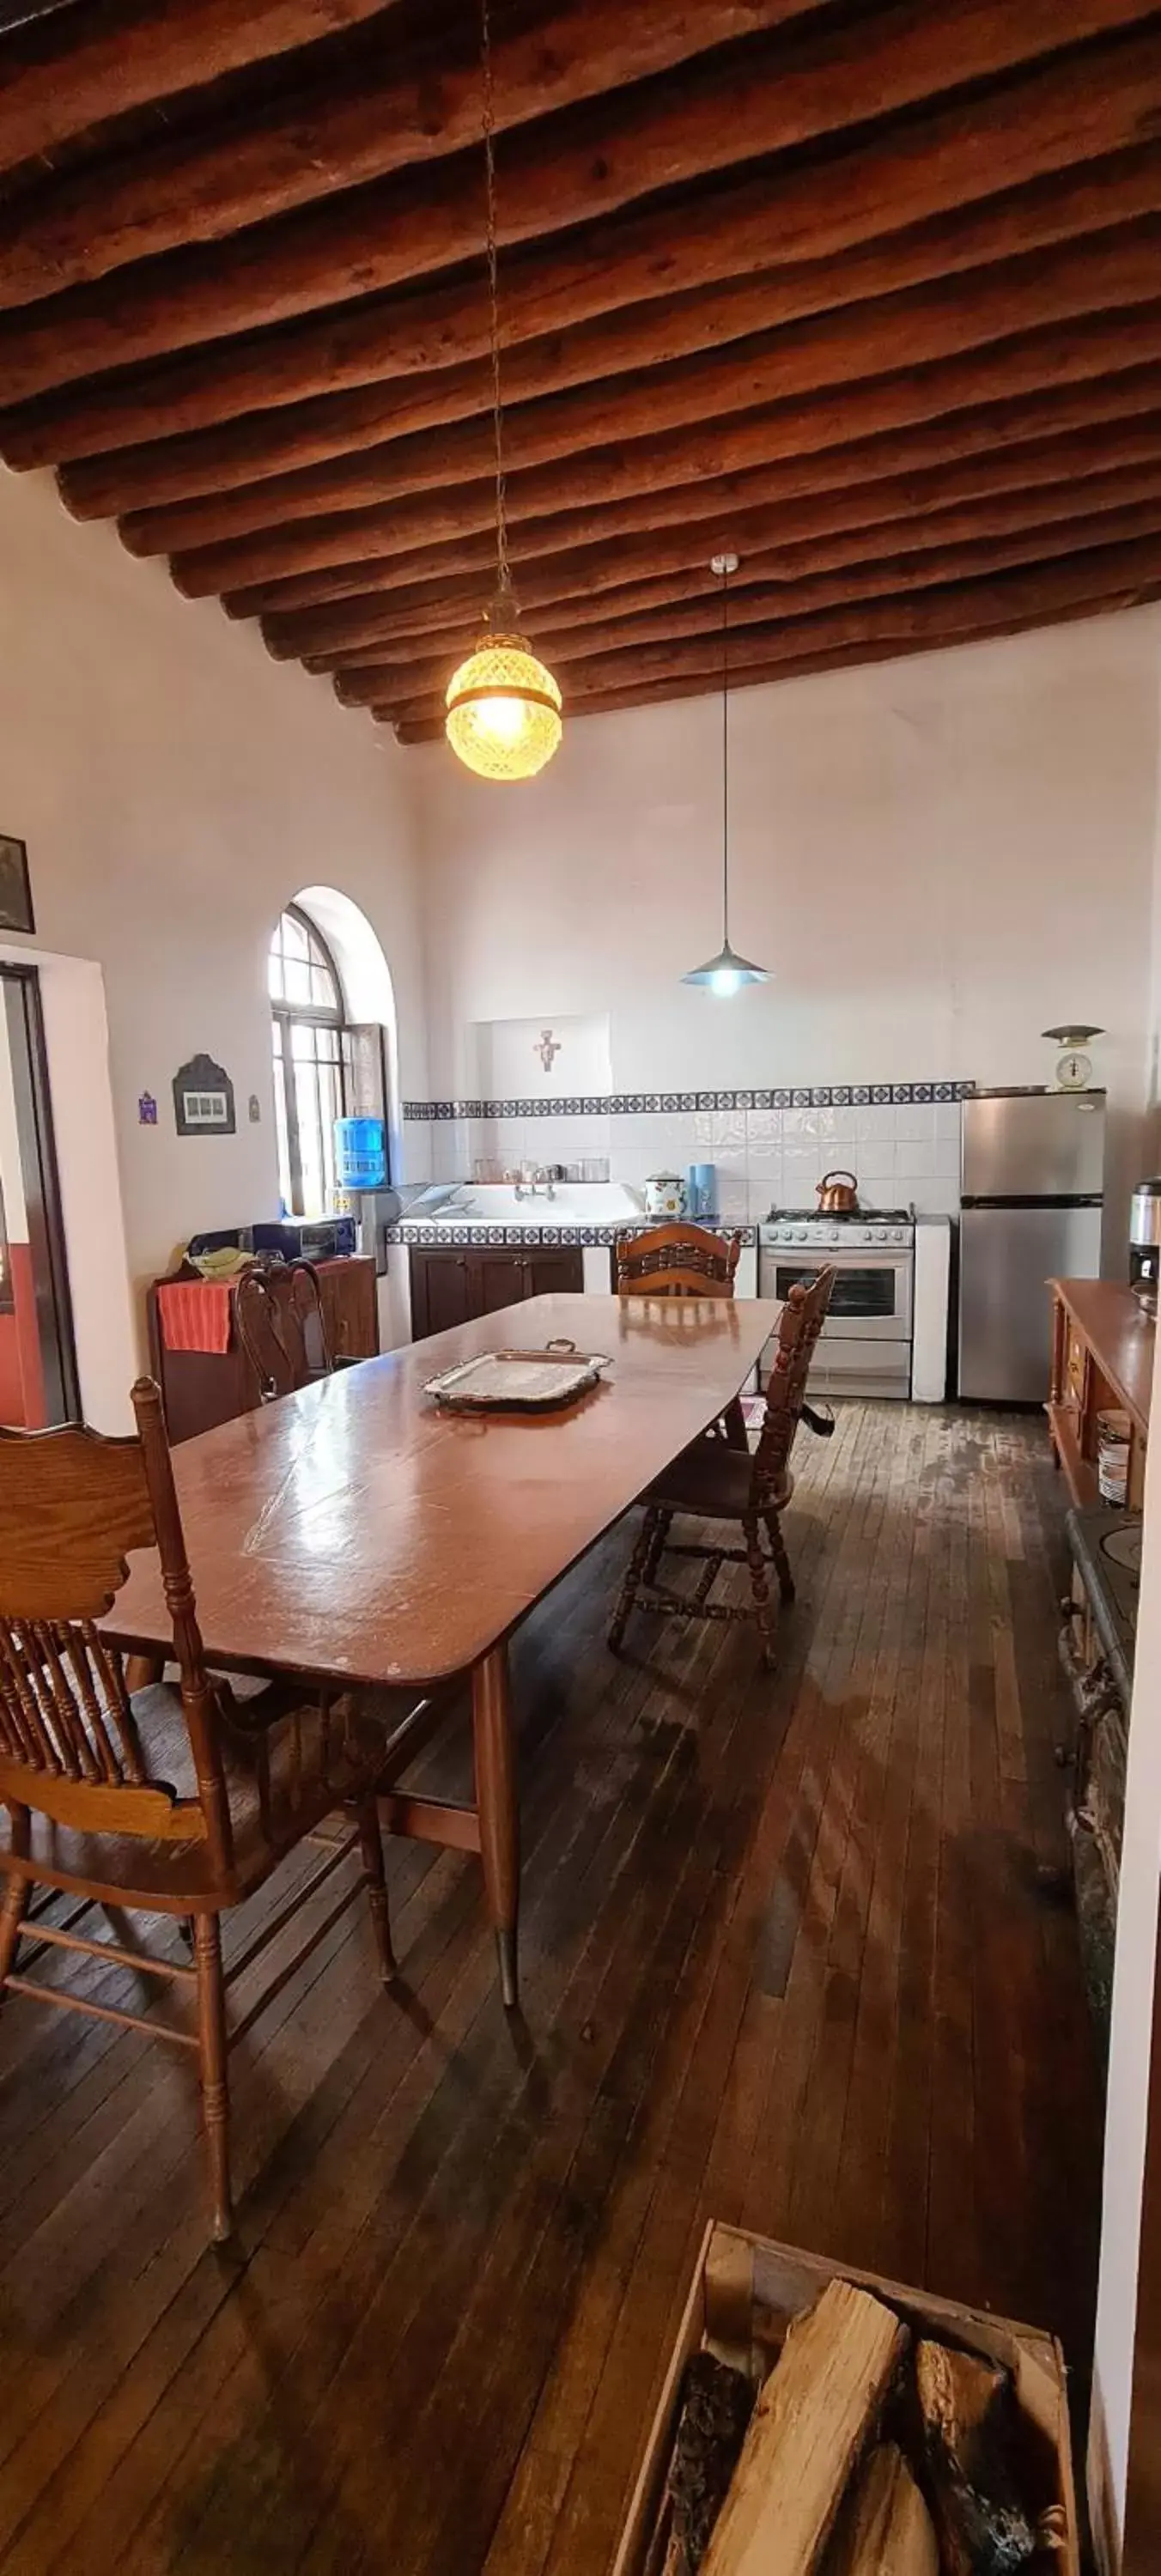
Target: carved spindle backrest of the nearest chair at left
(71, 1511)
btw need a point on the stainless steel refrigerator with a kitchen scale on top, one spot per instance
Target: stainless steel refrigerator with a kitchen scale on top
(1031, 1184)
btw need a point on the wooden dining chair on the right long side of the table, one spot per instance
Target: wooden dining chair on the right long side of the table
(714, 1482)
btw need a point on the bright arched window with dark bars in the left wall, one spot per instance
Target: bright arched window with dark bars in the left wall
(310, 1063)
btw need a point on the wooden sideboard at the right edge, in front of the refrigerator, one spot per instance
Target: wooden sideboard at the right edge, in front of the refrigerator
(1103, 1361)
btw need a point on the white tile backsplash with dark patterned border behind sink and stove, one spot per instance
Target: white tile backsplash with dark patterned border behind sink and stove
(768, 1148)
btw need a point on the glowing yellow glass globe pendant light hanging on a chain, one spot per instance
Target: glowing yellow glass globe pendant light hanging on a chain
(503, 705)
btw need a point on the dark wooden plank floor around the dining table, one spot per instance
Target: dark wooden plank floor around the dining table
(784, 1962)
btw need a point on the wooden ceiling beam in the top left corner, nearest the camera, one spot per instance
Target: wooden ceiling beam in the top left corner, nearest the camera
(127, 58)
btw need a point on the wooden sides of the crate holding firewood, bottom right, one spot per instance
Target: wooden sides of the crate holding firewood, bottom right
(745, 2291)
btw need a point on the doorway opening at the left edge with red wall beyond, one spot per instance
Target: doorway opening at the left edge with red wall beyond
(37, 1349)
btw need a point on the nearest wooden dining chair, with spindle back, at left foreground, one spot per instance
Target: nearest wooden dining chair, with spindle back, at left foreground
(169, 1799)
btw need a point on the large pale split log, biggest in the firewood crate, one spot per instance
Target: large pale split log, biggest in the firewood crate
(807, 2433)
